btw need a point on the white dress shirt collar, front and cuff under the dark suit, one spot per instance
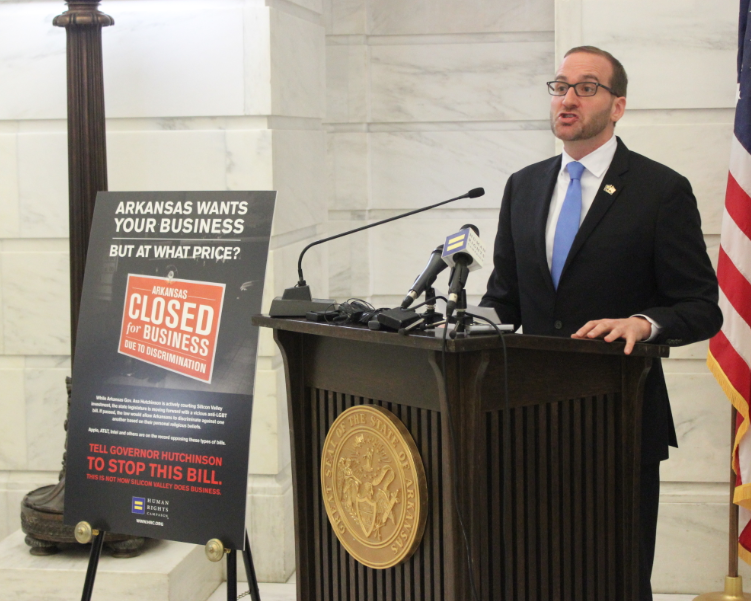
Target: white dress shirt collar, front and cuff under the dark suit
(596, 164)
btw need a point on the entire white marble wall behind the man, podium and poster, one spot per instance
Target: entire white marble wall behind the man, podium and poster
(354, 110)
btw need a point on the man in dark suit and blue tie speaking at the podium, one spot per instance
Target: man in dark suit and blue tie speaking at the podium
(601, 242)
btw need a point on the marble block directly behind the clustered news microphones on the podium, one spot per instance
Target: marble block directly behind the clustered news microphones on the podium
(399, 251)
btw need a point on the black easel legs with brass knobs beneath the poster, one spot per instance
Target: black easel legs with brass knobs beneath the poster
(85, 533)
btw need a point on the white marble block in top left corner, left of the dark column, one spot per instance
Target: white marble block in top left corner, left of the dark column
(32, 61)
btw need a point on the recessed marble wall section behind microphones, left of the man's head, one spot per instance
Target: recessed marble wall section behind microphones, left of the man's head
(424, 102)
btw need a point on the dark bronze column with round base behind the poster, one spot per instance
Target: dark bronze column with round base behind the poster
(42, 509)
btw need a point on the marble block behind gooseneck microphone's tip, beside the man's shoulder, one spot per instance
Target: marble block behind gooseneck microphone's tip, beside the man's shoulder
(412, 169)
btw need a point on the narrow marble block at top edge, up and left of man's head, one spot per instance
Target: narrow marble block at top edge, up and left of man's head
(389, 17)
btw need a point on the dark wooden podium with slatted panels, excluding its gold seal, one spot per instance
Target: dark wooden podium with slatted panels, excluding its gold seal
(565, 455)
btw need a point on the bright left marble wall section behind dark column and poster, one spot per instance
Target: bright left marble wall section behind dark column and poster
(199, 95)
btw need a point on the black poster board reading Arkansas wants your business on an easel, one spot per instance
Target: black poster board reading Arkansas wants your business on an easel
(163, 375)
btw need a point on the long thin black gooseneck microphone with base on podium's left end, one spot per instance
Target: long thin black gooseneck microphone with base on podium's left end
(297, 301)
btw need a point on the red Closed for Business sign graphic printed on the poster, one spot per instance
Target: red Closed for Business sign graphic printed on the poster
(172, 324)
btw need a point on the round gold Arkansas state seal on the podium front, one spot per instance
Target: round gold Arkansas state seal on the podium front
(374, 486)
